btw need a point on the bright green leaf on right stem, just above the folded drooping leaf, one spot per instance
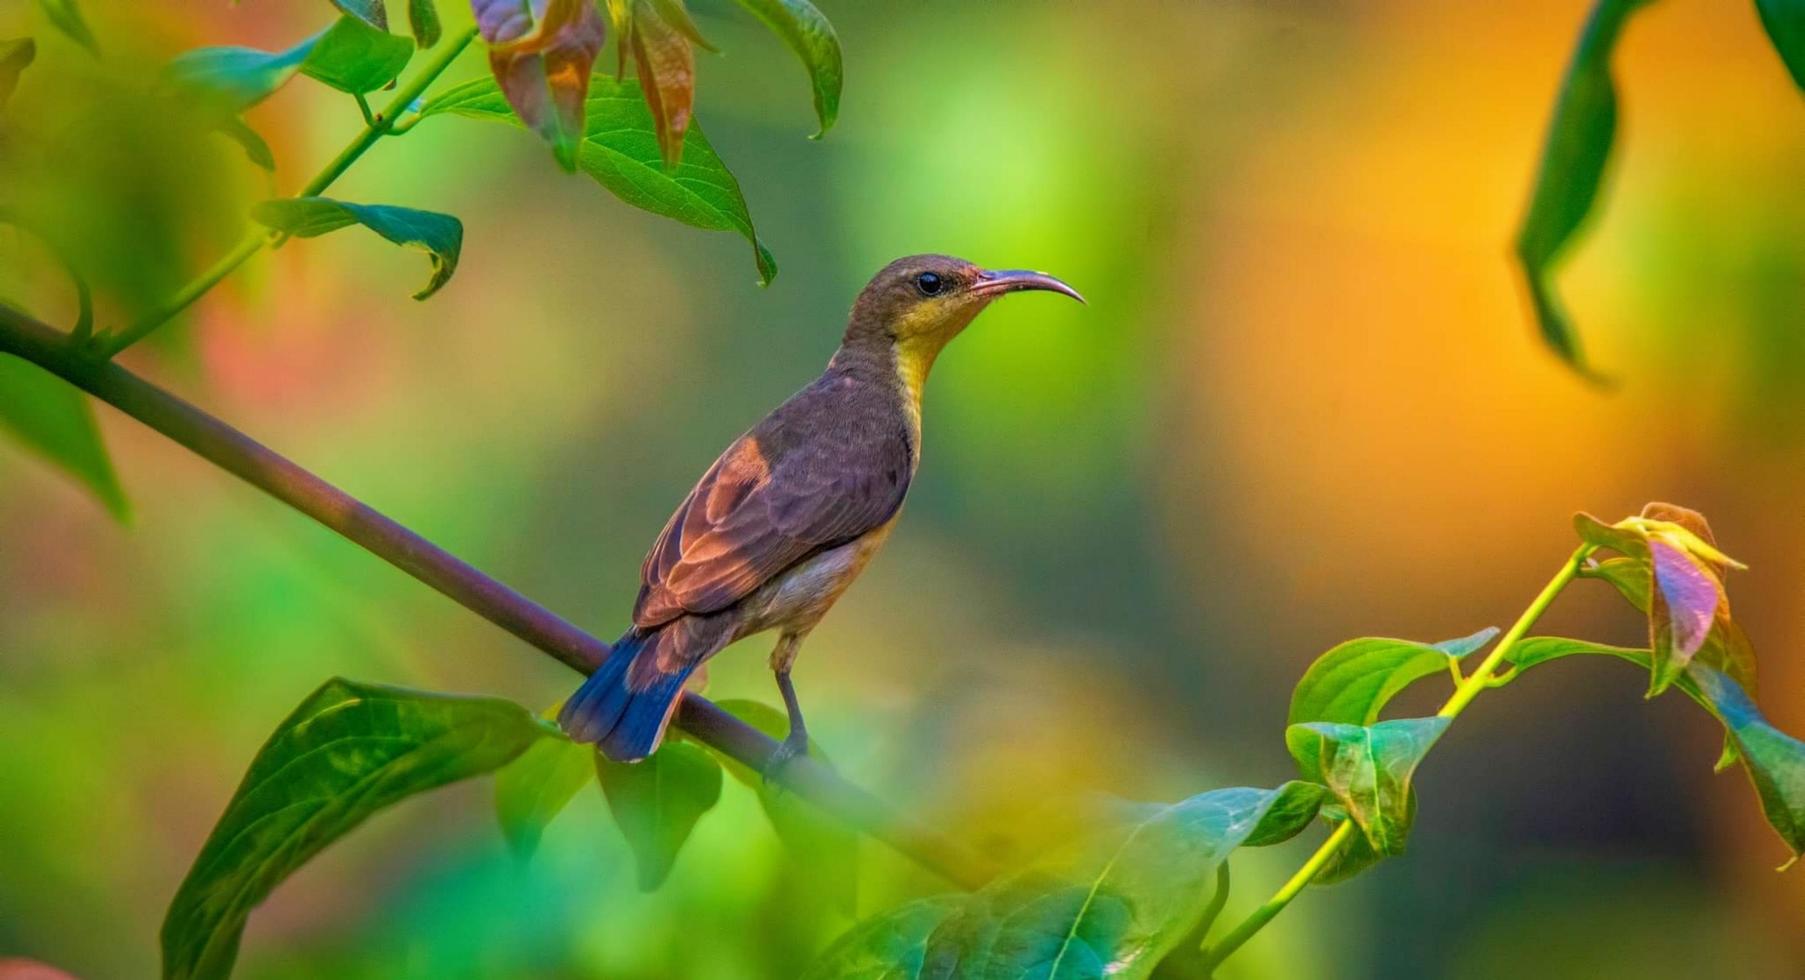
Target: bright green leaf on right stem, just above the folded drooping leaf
(1353, 681)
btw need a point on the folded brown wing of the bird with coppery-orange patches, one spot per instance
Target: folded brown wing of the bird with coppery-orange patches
(815, 474)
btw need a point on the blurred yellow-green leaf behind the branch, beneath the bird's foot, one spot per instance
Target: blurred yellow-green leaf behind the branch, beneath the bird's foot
(822, 849)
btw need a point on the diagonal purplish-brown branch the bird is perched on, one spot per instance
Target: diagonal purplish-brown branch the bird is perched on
(364, 526)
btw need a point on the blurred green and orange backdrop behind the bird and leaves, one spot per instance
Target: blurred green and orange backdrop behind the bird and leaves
(1306, 403)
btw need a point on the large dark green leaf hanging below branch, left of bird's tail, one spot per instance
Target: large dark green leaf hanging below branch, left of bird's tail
(346, 753)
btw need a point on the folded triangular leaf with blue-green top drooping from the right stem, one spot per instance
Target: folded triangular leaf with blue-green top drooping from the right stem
(1369, 770)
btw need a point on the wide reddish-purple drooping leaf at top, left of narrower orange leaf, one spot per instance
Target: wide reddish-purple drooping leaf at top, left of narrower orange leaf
(542, 64)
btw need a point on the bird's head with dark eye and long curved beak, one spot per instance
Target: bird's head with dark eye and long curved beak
(918, 304)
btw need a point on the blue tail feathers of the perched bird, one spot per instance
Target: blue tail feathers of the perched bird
(624, 723)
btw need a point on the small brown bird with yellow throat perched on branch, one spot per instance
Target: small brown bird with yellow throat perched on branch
(793, 512)
